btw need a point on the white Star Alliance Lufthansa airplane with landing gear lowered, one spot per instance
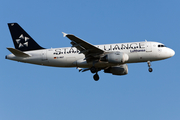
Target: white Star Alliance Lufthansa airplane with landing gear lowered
(112, 58)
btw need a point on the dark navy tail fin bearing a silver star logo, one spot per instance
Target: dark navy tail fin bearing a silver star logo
(21, 39)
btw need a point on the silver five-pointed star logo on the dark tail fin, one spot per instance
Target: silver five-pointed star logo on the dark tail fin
(22, 41)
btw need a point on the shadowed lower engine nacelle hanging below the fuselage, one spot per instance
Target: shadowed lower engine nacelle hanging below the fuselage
(117, 70)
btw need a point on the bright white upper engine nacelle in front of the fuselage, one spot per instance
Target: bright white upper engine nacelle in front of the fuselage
(117, 57)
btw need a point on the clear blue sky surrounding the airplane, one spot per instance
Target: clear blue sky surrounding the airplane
(31, 92)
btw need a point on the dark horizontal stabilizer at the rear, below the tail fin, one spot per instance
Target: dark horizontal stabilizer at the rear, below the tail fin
(18, 53)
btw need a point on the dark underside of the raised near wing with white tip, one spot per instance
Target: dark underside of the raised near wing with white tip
(90, 51)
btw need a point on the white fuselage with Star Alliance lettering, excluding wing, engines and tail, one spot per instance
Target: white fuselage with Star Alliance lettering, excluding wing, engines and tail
(71, 57)
